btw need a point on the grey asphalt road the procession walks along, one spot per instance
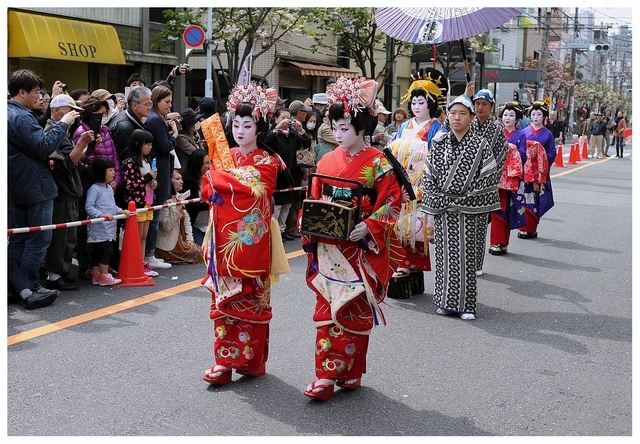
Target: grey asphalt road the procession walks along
(549, 352)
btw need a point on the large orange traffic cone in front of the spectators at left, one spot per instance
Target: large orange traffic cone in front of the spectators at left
(131, 269)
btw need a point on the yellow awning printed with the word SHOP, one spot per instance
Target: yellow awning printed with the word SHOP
(39, 36)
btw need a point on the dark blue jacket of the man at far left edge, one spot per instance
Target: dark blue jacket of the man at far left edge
(30, 177)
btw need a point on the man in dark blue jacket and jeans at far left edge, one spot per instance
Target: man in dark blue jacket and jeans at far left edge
(31, 186)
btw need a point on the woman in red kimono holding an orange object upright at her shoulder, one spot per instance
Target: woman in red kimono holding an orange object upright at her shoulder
(237, 241)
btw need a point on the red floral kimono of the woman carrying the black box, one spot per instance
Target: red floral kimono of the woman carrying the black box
(350, 279)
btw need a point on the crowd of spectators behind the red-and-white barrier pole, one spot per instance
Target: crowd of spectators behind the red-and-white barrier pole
(86, 154)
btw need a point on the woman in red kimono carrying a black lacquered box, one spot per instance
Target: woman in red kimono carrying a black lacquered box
(350, 278)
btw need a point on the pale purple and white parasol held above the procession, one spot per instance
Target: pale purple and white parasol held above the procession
(438, 25)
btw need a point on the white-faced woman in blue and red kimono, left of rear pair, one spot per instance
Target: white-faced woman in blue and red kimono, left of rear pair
(511, 184)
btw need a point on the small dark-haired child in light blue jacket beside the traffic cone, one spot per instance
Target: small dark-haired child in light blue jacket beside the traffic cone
(102, 236)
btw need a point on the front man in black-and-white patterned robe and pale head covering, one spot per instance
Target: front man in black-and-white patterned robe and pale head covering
(459, 188)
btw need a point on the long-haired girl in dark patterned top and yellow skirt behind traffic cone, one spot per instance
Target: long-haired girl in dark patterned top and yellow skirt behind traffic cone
(139, 182)
